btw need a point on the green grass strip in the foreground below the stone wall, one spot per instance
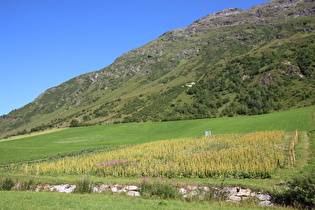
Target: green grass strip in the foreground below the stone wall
(33, 200)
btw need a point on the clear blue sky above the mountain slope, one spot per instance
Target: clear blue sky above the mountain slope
(44, 43)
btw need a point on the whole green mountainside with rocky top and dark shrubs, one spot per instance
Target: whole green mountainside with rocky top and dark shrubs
(241, 62)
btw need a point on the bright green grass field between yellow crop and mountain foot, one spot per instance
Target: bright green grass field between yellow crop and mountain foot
(73, 140)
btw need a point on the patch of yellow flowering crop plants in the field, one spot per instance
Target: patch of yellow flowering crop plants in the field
(254, 155)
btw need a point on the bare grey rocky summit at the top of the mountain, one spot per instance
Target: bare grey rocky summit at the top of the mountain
(264, 13)
